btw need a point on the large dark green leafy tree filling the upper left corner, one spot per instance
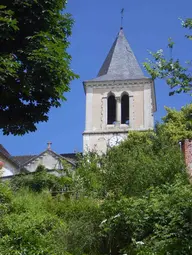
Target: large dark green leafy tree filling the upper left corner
(34, 63)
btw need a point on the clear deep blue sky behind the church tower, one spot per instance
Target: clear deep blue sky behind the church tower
(147, 25)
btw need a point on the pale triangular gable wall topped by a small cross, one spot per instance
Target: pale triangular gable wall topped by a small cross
(46, 160)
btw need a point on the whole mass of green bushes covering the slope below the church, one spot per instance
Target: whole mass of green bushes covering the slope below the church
(134, 200)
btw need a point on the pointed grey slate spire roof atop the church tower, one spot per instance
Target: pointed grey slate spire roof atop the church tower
(120, 63)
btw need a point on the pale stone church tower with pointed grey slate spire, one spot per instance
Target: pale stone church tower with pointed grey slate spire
(118, 100)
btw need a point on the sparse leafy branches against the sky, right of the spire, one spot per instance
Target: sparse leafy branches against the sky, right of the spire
(177, 76)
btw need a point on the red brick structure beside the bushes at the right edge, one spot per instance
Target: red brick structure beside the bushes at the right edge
(187, 150)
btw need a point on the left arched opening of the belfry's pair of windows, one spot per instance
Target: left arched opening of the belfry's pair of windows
(111, 109)
